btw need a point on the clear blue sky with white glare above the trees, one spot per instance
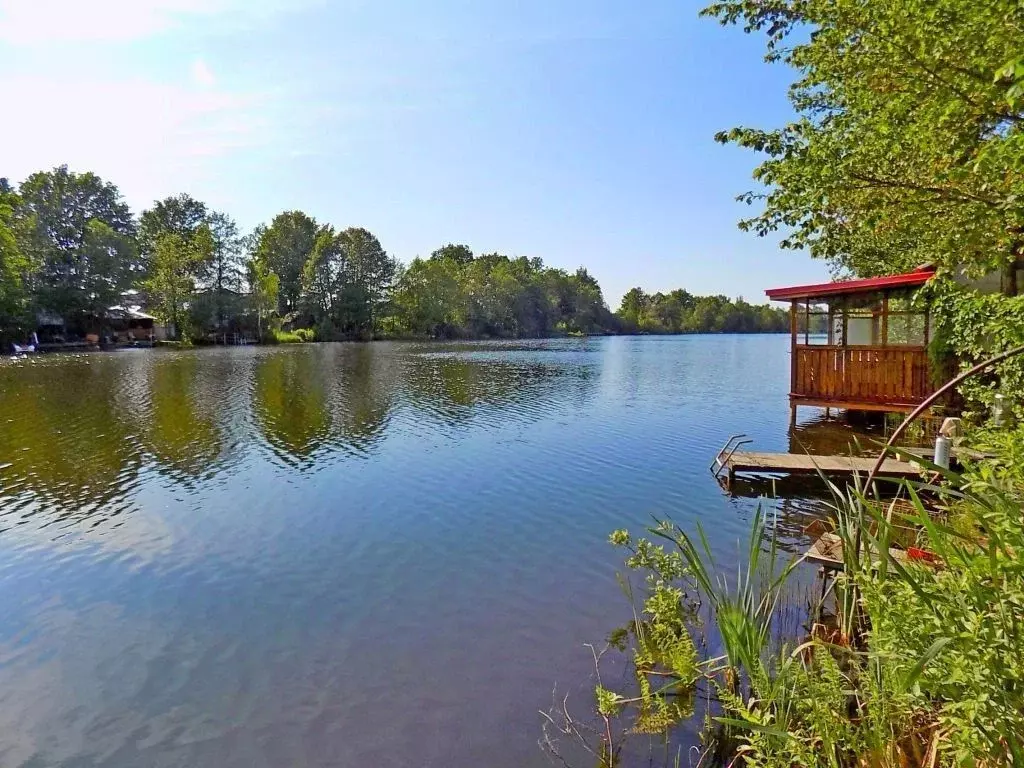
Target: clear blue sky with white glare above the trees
(577, 131)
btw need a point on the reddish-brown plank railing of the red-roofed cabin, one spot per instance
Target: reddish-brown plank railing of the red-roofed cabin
(871, 375)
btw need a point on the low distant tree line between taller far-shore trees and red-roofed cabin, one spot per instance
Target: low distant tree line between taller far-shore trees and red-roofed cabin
(682, 313)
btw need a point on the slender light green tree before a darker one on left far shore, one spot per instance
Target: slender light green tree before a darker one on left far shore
(173, 273)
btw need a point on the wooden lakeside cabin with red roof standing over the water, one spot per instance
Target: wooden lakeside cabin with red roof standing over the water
(860, 345)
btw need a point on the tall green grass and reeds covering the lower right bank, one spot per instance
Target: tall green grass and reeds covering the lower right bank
(924, 668)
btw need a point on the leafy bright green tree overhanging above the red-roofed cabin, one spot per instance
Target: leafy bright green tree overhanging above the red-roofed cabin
(907, 148)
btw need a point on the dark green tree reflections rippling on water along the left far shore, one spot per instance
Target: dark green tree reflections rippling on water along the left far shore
(79, 431)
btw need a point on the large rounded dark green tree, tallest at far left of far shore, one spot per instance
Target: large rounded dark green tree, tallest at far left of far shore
(80, 235)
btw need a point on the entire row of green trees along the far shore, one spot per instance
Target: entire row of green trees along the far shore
(71, 249)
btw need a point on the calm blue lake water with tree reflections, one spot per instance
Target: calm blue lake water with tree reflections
(382, 554)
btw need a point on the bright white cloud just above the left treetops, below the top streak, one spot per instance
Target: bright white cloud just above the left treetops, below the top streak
(149, 139)
